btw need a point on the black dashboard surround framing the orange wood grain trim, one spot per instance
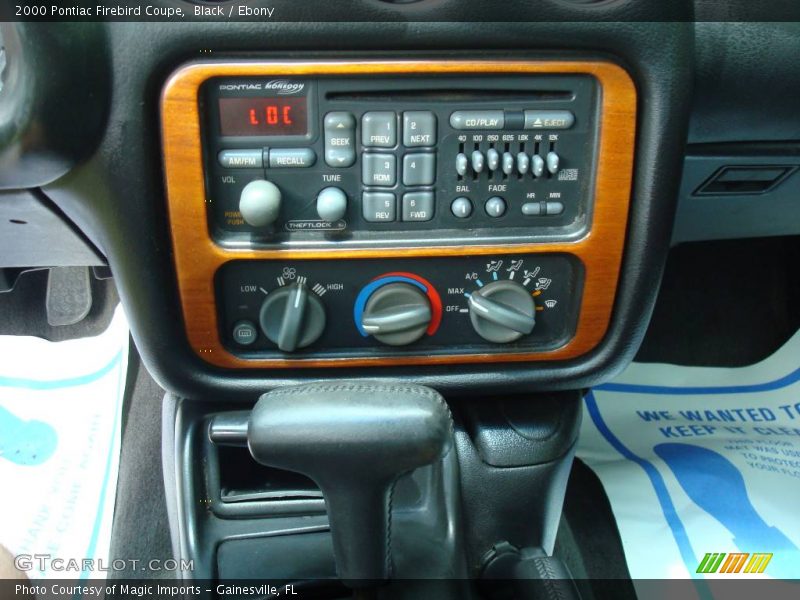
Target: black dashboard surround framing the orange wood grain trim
(126, 214)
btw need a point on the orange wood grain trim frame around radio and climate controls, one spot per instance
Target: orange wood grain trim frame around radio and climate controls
(197, 257)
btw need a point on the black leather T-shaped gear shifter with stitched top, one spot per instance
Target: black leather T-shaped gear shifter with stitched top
(354, 439)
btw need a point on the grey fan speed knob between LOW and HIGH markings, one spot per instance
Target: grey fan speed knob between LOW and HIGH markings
(292, 317)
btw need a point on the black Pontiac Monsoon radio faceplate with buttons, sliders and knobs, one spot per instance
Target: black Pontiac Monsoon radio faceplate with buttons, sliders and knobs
(400, 158)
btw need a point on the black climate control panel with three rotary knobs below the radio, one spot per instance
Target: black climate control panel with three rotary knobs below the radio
(441, 305)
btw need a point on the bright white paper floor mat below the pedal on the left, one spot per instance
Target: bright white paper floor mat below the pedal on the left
(60, 408)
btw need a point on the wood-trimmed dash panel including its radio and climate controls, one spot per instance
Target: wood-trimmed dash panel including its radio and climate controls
(387, 213)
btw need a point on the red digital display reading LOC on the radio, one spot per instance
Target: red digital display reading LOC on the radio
(263, 116)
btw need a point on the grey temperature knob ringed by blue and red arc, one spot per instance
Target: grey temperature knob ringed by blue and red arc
(397, 314)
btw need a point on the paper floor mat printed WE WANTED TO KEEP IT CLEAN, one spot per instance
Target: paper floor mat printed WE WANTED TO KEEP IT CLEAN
(702, 467)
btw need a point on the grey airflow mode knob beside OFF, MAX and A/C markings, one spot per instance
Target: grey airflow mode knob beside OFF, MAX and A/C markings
(502, 311)
